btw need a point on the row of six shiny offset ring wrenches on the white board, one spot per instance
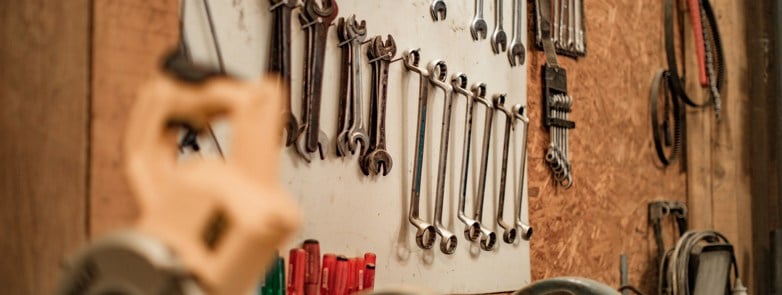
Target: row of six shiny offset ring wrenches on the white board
(436, 74)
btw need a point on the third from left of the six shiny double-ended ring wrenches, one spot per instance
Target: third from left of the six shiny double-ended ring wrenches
(459, 84)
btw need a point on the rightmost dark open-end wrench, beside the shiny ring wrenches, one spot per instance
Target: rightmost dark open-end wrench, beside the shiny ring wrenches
(378, 157)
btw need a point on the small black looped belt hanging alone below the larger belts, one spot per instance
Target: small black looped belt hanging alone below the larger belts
(661, 80)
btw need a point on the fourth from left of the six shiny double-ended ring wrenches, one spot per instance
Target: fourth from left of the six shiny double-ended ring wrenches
(488, 237)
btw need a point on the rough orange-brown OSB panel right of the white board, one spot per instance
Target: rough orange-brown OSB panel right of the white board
(582, 231)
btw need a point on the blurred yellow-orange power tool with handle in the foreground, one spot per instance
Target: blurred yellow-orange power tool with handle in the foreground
(208, 226)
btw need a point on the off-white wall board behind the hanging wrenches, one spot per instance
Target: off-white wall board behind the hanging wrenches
(351, 213)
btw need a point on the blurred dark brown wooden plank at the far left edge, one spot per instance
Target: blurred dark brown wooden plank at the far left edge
(44, 81)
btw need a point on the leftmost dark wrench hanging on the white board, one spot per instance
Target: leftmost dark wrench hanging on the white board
(280, 59)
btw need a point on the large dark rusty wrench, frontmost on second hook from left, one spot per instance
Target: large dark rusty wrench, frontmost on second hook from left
(324, 16)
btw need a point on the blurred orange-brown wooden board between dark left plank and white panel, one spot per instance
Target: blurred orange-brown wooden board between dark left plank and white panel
(129, 39)
